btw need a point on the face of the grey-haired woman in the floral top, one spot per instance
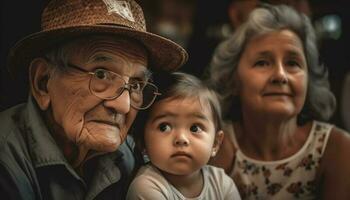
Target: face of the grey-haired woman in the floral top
(272, 75)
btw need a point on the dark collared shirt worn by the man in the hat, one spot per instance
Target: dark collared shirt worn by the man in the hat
(33, 167)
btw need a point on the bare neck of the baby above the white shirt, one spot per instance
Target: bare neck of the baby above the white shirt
(189, 185)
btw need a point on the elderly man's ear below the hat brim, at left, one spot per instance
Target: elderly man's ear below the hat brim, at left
(39, 75)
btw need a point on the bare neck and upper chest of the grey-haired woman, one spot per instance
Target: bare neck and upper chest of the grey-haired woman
(270, 139)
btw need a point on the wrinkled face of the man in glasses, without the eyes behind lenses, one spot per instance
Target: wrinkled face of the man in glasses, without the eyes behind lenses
(87, 120)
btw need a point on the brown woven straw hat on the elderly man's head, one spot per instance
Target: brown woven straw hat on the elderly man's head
(66, 19)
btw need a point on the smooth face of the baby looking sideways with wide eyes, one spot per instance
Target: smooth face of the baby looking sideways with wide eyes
(179, 135)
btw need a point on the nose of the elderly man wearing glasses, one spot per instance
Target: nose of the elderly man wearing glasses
(120, 104)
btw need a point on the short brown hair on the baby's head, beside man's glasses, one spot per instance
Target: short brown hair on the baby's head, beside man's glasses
(178, 85)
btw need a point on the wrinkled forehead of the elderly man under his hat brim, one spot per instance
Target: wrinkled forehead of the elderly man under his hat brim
(121, 55)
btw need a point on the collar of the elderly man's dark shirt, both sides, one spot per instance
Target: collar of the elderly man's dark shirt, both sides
(45, 152)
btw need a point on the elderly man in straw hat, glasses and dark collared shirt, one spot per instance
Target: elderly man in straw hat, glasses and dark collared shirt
(89, 72)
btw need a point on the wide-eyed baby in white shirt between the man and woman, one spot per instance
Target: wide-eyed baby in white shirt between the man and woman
(179, 133)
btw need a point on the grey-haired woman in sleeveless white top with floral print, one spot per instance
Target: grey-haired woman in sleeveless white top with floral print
(276, 97)
